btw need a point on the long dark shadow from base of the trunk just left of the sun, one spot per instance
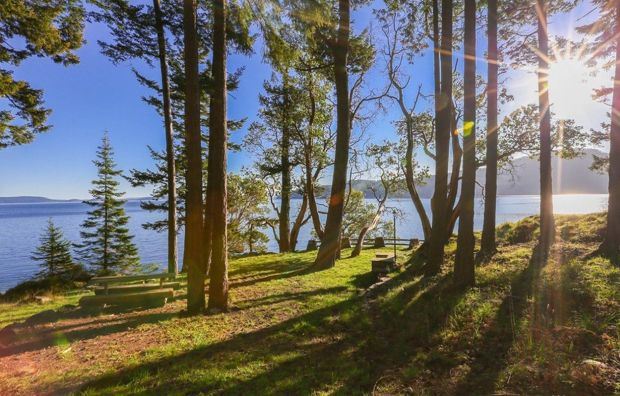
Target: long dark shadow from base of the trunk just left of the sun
(494, 346)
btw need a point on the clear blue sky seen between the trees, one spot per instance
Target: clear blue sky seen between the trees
(96, 96)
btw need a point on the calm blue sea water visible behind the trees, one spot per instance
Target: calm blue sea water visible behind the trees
(22, 224)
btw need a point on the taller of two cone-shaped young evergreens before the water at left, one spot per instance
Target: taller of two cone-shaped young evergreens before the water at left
(106, 243)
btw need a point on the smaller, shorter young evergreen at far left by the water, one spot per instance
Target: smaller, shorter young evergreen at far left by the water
(54, 253)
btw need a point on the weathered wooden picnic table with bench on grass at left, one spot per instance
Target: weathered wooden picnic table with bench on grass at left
(123, 290)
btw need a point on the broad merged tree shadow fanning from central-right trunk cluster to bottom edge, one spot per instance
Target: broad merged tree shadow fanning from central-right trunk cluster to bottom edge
(344, 347)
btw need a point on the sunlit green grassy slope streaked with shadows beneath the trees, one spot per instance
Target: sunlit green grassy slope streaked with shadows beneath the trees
(523, 329)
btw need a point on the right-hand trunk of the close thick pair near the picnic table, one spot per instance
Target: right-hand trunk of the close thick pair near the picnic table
(216, 185)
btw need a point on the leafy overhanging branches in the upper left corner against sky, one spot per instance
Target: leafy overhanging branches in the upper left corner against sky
(52, 29)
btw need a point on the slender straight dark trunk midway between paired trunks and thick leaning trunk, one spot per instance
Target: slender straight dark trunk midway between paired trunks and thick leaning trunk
(285, 163)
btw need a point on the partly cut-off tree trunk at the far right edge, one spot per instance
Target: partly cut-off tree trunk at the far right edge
(611, 245)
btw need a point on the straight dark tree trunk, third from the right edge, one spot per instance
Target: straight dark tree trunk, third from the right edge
(488, 246)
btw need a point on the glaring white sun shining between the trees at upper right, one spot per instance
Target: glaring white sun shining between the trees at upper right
(571, 86)
